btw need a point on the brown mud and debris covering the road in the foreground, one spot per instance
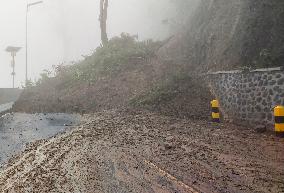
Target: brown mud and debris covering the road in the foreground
(143, 152)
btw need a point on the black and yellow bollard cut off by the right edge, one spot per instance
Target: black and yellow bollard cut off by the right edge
(279, 120)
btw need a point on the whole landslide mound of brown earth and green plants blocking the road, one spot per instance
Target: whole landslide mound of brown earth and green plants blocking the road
(124, 74)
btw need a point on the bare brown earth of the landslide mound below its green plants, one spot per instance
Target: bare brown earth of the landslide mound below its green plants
(155, 85)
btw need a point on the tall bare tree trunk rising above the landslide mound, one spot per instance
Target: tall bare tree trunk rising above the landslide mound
(103, 21)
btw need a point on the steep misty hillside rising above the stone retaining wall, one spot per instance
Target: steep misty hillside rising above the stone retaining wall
(229, 34)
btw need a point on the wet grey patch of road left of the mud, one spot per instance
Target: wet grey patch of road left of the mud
(18, 129)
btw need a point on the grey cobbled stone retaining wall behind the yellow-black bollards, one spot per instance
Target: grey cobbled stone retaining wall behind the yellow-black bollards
(248, 96)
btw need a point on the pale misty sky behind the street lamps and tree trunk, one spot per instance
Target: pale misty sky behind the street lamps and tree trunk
(63, 30)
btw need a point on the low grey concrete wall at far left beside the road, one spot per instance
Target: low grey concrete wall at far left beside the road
(8, 95)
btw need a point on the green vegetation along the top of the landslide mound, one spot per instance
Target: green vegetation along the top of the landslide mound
(105, 61)
